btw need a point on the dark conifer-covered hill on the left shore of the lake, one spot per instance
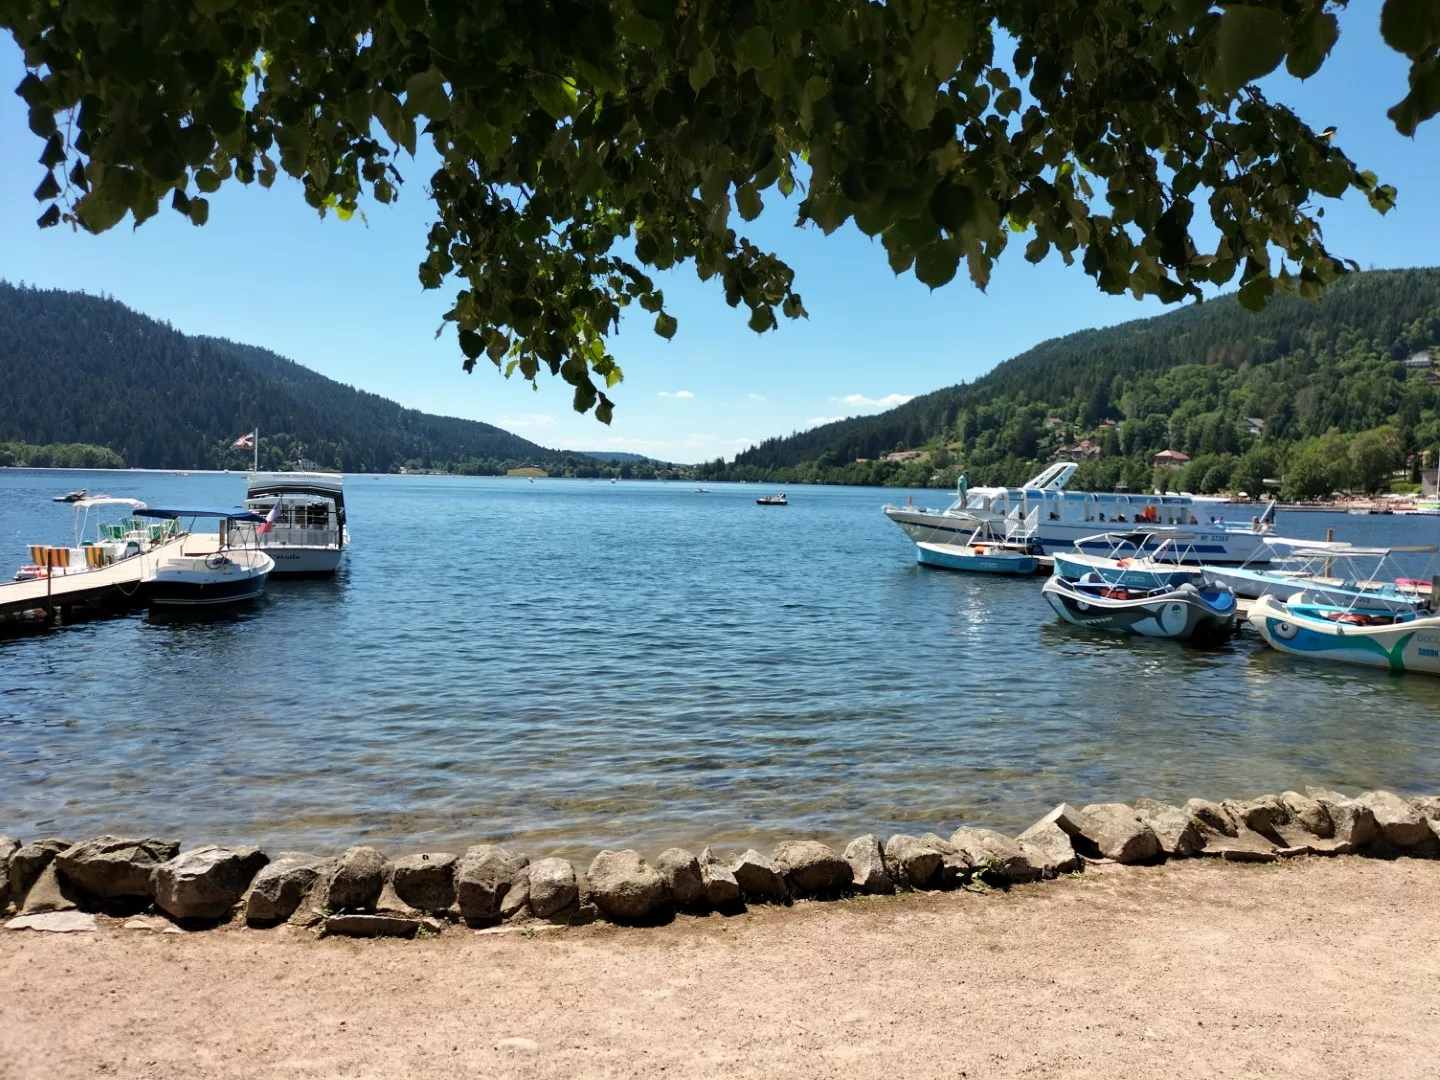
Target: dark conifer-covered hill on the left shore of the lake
(80, 369)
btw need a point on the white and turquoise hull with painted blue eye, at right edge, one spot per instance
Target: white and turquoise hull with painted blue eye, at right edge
(1413, 646)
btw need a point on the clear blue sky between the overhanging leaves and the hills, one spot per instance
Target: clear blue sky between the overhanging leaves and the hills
(343, 299)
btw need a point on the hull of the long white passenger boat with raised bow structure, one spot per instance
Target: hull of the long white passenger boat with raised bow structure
(948, 528)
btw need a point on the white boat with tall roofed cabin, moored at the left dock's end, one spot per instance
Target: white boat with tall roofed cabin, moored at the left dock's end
(307, 535)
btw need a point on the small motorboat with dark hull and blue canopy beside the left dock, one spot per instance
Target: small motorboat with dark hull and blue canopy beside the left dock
(205, 572)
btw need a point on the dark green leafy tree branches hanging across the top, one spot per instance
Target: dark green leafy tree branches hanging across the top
(585, 143)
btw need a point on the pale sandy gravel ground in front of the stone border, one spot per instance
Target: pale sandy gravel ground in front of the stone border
(1317, 968)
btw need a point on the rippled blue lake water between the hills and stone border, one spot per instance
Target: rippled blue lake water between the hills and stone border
(578, 665)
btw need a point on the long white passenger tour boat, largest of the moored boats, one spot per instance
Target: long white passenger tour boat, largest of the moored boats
(1046, 513)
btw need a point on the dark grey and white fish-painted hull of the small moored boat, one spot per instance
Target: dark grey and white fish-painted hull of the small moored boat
(1186, 616)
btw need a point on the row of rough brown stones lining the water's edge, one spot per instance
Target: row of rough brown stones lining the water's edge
(54, 885)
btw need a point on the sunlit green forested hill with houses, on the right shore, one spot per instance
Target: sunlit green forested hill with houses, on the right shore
(1245, 397)
